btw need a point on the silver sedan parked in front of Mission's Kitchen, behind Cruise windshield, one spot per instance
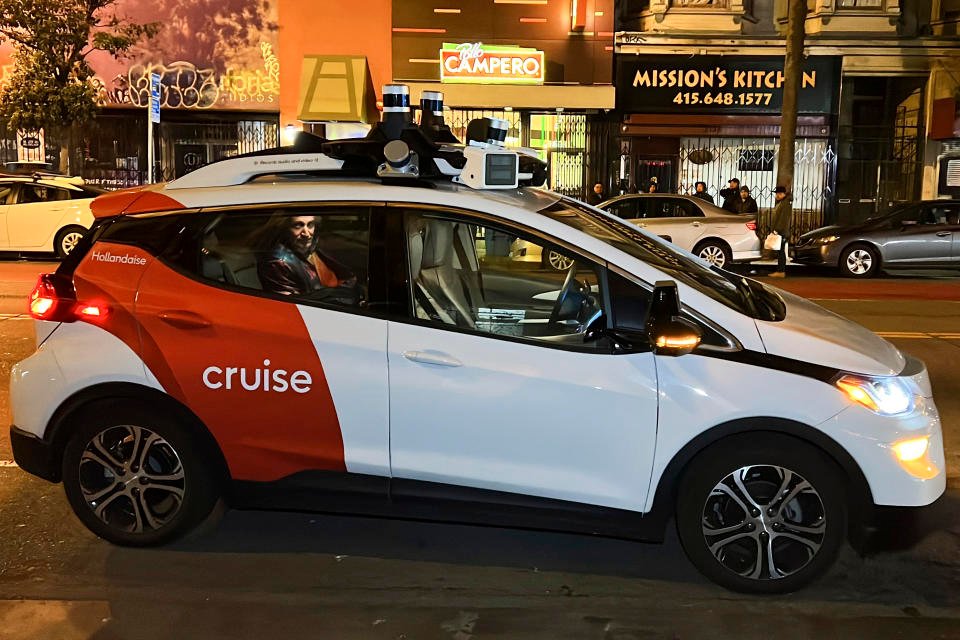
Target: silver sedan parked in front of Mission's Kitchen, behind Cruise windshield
(706, 230)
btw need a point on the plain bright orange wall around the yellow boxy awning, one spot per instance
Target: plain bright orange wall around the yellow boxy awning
(331, 27)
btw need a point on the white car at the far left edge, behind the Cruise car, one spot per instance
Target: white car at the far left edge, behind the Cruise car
(44, 213)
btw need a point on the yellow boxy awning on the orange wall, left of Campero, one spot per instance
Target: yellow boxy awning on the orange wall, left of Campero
(336, 89)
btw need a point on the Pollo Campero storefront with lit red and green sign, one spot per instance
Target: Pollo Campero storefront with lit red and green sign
(545, 67)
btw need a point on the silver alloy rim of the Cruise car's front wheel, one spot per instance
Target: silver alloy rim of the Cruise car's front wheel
(764, 522)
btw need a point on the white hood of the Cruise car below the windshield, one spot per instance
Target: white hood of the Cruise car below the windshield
(810, 333)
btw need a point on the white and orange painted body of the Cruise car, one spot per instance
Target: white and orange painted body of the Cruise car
(410, 401)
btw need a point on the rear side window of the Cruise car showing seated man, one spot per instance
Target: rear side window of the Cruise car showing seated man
(317, 256)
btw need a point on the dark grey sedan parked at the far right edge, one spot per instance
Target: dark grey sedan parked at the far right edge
(918, 234)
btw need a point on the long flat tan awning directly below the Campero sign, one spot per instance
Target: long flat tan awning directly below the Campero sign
(518, 97)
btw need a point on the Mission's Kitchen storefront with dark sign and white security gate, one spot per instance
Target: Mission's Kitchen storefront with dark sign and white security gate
(684, 119)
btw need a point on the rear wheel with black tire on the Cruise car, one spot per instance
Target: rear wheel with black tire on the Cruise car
(176, 460)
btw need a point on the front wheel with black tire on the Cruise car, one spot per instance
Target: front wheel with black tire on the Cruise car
(761, 463)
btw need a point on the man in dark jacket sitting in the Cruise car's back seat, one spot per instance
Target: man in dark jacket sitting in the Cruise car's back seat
(292, 265)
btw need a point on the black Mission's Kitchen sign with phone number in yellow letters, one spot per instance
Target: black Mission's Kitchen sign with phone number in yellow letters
(721, 84)
